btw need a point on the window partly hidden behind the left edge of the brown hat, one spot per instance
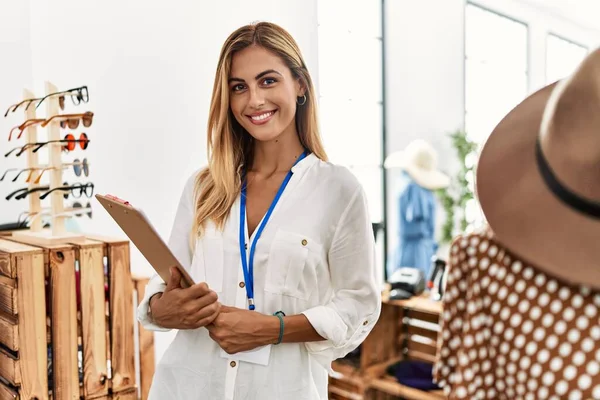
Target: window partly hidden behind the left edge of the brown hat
(496, 77)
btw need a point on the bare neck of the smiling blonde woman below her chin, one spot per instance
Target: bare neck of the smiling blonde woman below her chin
(278, 155)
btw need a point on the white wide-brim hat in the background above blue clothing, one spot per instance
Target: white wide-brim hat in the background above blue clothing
(419, 160)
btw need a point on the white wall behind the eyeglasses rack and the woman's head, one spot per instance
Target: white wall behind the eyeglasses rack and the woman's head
(149, 66)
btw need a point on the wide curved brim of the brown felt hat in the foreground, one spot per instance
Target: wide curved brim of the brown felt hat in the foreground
(523, 213)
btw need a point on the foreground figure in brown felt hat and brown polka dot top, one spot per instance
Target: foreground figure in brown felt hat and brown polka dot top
(522, 302)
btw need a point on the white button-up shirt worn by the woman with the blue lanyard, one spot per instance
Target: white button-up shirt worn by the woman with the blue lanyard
(315, 256)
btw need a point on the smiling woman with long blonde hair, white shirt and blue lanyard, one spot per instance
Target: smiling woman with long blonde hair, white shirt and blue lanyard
(267, 324)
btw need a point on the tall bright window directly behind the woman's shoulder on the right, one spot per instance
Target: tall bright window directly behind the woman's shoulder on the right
(350, 91)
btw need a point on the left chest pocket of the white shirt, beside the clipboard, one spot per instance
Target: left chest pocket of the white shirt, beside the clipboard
(207, 264)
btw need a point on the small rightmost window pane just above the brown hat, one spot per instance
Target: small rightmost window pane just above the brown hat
(562, 57)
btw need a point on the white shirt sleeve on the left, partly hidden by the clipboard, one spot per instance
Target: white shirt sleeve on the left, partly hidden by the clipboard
(179, 243)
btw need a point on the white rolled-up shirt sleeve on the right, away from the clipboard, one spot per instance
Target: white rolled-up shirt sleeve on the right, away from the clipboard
(346, 320)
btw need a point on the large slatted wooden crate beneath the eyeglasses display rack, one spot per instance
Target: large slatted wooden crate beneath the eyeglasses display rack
(85, 336)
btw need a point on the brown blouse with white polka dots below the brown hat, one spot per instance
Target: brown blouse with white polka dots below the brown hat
(509, 331)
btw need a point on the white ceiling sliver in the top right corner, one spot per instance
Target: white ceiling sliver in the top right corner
(584, 12)
